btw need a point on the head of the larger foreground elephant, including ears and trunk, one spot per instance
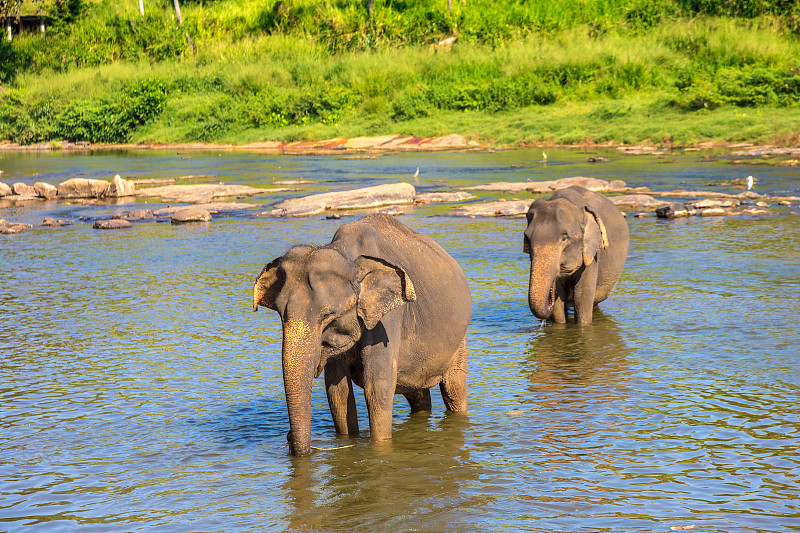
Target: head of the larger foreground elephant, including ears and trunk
(325, 302)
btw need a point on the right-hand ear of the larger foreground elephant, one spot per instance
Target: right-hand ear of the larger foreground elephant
(382, 287)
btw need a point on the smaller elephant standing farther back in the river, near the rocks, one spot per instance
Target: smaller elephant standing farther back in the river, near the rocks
(578, 241)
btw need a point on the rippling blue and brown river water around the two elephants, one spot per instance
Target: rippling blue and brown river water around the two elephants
(140, 392)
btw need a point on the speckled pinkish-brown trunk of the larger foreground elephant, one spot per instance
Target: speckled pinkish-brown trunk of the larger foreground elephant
(301, 353)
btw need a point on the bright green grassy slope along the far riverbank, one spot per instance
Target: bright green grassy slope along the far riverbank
(594, 71)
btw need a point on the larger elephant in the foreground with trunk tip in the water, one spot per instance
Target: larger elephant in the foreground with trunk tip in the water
(381, 306)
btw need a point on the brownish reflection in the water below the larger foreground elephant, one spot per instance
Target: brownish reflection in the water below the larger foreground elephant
(416, 478)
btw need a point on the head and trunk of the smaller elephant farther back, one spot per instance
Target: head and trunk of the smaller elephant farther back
(563, 235)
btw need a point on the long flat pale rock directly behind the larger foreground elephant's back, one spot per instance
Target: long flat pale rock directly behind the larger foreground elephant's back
(377, 196)
